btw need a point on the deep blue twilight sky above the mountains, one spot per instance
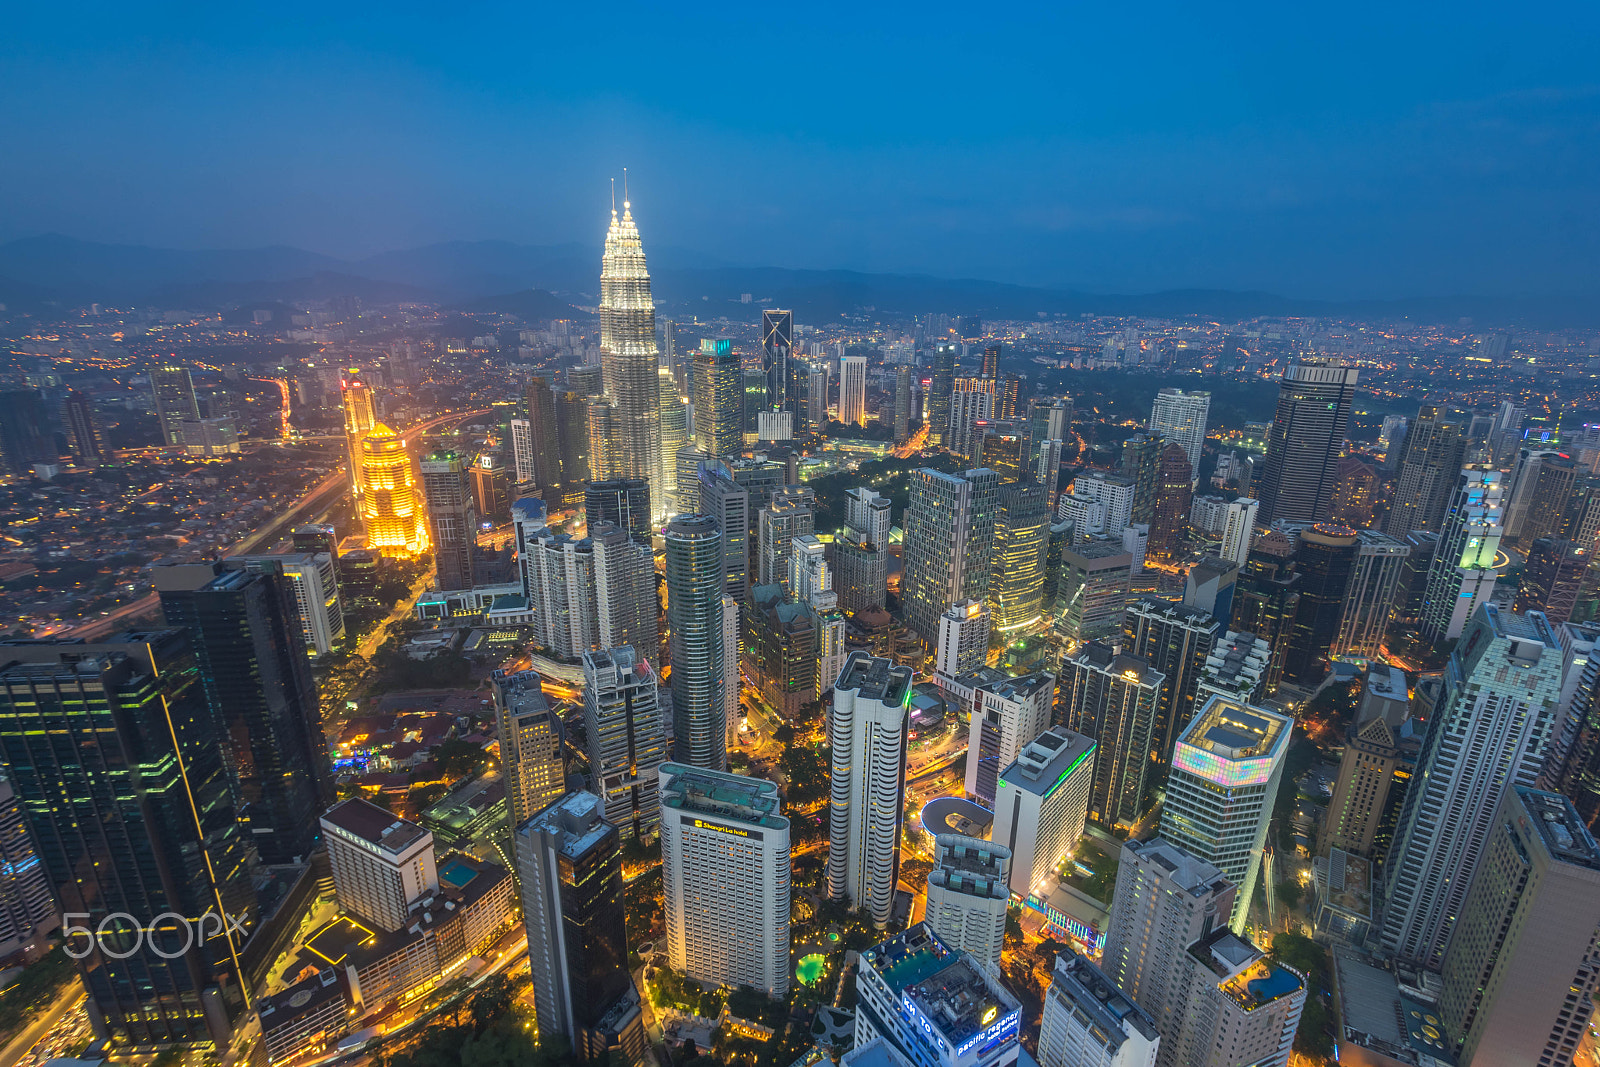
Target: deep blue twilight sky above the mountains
(1358, 150)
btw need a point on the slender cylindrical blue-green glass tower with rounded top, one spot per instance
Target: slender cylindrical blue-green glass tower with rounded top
(695, 621)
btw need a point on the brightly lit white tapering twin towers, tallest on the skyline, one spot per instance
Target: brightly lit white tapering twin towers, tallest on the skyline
(628, 359)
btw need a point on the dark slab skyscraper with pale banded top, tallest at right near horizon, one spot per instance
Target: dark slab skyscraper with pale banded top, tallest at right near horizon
(1303, 447)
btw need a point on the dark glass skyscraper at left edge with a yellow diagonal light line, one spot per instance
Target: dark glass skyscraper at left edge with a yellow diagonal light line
(118, 765)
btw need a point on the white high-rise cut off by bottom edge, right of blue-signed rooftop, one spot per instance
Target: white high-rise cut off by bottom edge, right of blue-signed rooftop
(1090, 1023)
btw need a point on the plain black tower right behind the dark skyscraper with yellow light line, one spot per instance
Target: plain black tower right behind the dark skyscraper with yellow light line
(257, 682)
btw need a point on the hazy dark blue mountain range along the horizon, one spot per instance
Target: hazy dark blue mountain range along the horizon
(550, 281)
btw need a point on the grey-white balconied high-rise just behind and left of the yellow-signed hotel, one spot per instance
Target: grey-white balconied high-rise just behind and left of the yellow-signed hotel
(626, 738)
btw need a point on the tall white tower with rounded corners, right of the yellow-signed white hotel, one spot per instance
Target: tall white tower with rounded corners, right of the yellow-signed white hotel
(868, 730)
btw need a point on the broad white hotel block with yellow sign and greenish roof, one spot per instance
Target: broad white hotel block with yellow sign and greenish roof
(726, 869)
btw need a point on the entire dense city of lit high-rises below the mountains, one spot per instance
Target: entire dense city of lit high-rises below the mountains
(554, 682)
